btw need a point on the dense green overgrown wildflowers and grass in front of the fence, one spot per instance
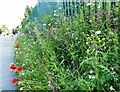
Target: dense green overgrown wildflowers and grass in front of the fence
(69, 55)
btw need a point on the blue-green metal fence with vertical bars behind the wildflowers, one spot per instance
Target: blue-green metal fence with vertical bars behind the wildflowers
(70, 8)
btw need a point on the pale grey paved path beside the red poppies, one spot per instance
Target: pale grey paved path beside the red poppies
(6, 57)
